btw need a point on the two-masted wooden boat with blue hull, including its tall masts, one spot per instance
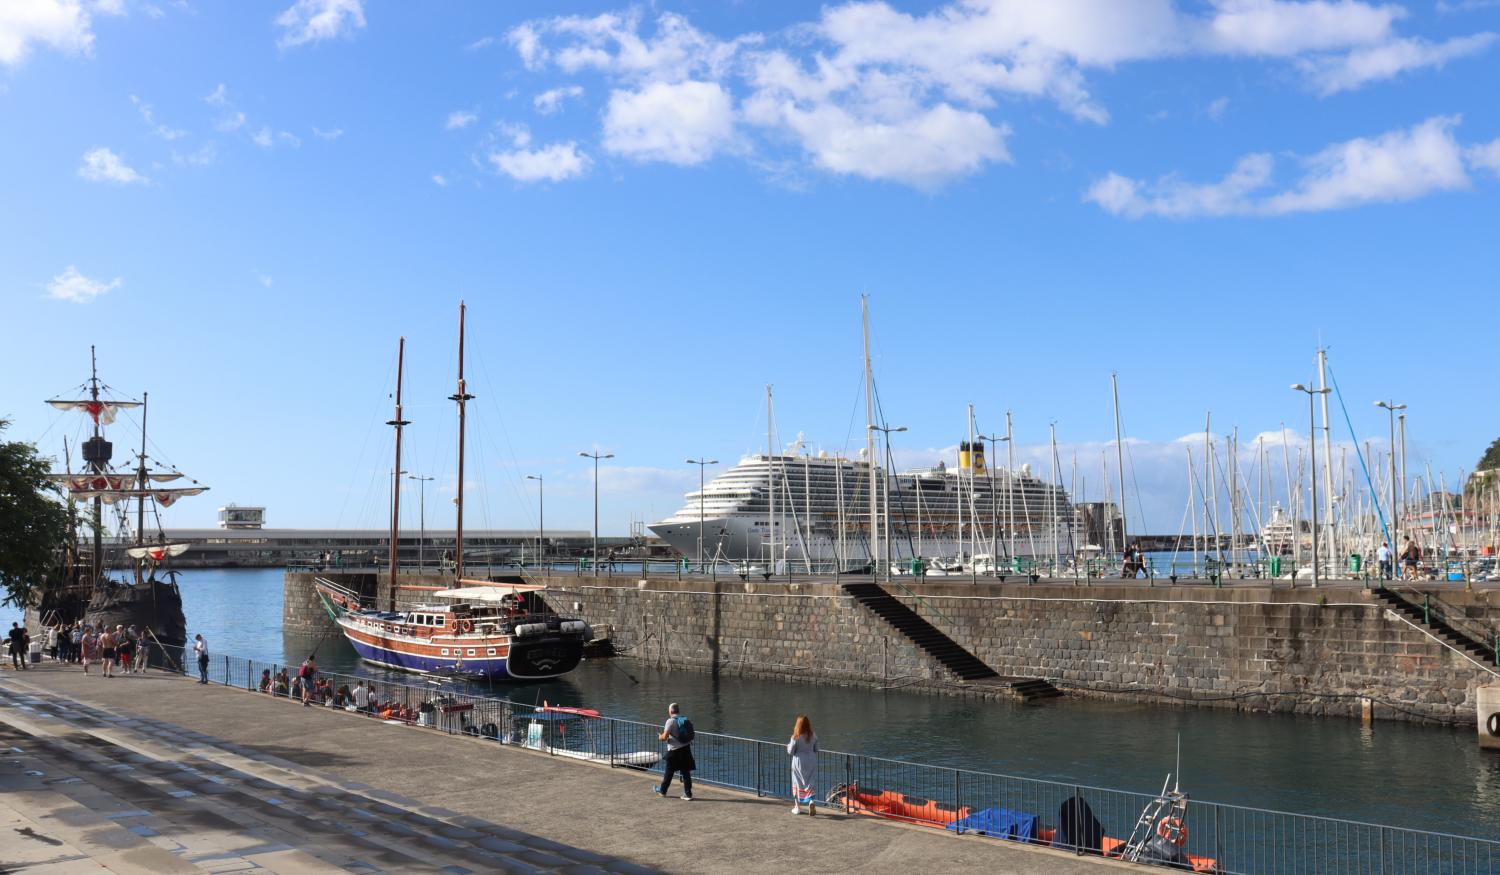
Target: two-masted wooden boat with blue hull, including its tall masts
(478, 628)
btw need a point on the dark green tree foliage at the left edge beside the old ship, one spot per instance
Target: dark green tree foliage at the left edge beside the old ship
(34, 523)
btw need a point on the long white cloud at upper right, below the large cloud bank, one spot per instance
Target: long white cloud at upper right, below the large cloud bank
(1397, 166)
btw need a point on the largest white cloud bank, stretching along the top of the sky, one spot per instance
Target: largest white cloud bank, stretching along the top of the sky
(865, 77)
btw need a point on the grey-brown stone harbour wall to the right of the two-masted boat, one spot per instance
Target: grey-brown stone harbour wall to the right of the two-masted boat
(1312, 652)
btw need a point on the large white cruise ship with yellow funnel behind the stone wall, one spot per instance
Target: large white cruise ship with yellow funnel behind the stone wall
(799, 511)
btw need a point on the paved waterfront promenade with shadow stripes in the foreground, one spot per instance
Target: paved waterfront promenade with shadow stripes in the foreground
(157, 774)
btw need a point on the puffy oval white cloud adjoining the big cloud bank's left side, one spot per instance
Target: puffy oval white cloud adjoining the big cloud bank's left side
(680, 124)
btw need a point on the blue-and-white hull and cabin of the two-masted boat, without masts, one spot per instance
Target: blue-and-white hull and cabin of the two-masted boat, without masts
(488, 631)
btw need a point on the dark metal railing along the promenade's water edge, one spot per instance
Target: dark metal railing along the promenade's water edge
(1232, 840)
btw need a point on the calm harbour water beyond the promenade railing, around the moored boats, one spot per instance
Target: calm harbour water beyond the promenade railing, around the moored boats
(1396, 774)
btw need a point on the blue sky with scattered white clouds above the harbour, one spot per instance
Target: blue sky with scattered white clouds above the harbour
(655, 211)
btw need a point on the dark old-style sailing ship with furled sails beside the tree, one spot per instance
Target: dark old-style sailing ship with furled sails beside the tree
(148, 597)
